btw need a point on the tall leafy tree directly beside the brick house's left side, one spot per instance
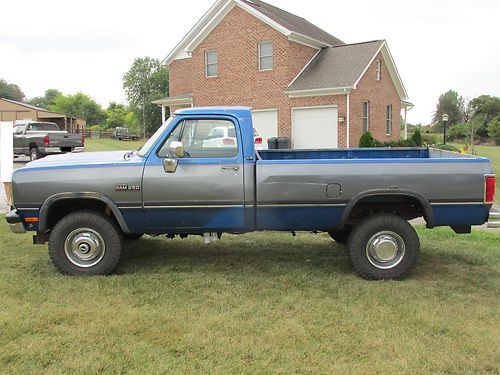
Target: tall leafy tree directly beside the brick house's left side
(146, 81)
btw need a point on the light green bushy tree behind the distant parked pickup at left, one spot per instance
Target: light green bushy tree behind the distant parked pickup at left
(80, 105)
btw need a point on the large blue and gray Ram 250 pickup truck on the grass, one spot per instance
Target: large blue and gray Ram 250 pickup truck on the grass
(179, 184)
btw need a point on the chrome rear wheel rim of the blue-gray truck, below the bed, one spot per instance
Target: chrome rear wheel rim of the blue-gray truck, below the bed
(385, 250)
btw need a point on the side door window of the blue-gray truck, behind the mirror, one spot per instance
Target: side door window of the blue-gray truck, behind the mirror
(204, 138)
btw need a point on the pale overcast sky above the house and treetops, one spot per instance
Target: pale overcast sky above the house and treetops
(88, 45)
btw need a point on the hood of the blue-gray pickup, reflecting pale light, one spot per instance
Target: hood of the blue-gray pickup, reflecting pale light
(85, 159)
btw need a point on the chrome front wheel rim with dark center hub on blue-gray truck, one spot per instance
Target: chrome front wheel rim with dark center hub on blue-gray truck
(84, 247)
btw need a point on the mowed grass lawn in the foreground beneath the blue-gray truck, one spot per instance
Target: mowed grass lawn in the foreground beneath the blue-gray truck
(257, 303)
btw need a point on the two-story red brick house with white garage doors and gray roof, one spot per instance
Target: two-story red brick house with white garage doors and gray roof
(300, 81)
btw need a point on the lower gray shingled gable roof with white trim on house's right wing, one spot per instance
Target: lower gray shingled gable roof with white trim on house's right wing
(340, 68)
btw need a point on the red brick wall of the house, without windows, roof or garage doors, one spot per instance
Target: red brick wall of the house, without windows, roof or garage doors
(239, 82)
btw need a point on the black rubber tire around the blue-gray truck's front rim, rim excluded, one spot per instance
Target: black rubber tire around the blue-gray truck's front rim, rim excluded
(103, 225)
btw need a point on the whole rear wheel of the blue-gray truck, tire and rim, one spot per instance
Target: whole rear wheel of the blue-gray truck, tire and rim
(383, 246)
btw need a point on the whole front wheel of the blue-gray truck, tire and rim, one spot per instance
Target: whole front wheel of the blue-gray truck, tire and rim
(85, 243)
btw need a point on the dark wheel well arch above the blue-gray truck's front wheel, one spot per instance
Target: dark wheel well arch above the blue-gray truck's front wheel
(59, 205)
